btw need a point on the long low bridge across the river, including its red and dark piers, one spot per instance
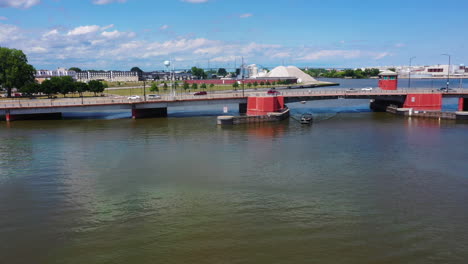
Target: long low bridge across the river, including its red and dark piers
(419, 99)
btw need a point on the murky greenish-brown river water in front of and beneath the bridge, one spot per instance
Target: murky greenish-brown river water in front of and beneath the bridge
(355, 187)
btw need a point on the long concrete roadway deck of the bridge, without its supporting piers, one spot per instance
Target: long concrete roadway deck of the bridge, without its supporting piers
(44, 106)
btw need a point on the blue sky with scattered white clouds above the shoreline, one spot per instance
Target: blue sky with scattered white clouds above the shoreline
(121, 34)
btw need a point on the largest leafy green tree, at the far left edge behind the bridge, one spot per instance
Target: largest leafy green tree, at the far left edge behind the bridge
(15, 72)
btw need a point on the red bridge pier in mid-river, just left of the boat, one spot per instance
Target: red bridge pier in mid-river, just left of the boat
(263, 105)
